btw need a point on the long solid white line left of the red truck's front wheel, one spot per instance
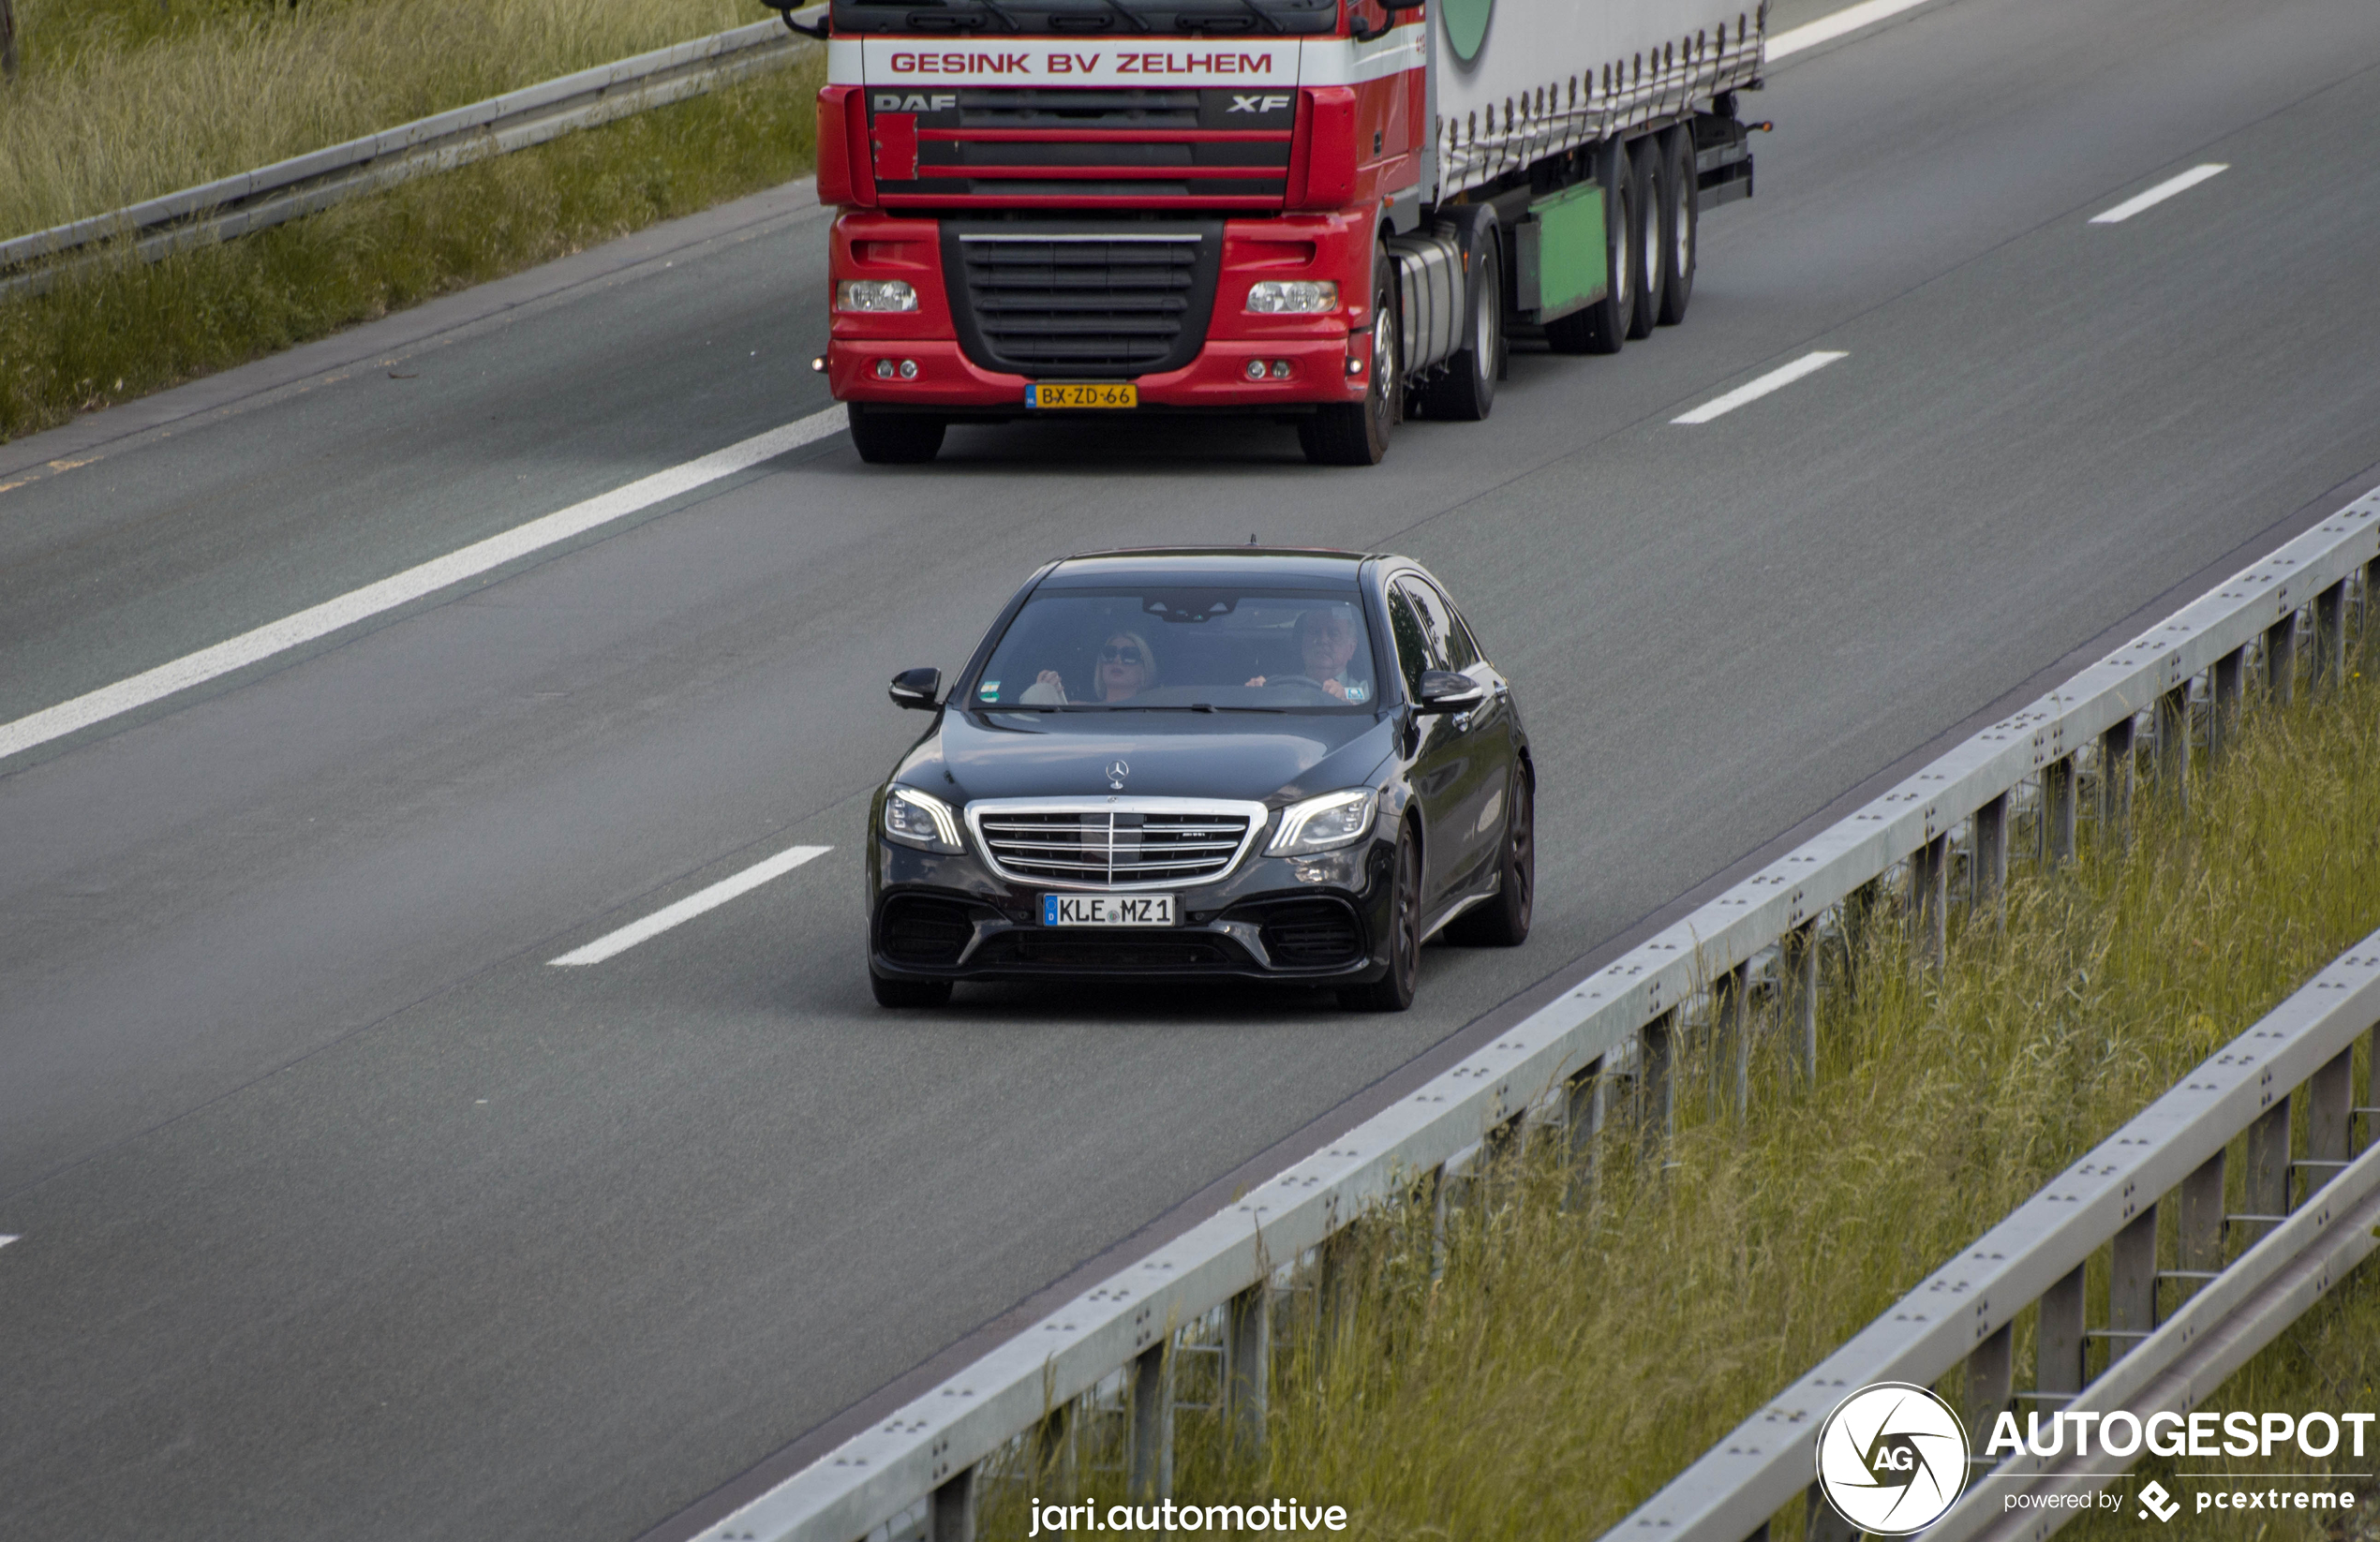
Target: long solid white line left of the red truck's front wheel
(408, 587)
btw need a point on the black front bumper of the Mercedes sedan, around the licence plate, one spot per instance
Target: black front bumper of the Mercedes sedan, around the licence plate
(1289, 920)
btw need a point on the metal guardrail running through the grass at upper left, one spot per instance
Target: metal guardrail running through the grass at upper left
(315, 182)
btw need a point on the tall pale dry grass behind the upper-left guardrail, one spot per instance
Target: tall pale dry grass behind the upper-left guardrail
(120, 101)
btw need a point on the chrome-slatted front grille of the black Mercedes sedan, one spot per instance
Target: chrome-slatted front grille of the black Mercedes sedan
(1134, 844)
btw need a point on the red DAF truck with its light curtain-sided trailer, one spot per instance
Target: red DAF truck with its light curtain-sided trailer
(1327, 213)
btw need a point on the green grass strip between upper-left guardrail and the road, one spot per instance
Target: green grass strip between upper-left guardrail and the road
(125, 330)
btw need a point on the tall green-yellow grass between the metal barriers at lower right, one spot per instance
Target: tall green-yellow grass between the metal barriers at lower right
(1551, 1365)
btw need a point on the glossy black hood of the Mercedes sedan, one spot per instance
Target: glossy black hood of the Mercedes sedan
(1260, 758)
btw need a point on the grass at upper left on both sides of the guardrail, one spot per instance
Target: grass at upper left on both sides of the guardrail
(118, 104)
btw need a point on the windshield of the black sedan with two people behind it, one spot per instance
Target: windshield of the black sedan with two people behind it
(1184, 648)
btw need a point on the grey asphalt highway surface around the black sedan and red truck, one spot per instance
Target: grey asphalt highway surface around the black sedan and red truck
(265, 958)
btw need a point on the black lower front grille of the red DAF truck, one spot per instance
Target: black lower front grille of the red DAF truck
(1082, 303)
